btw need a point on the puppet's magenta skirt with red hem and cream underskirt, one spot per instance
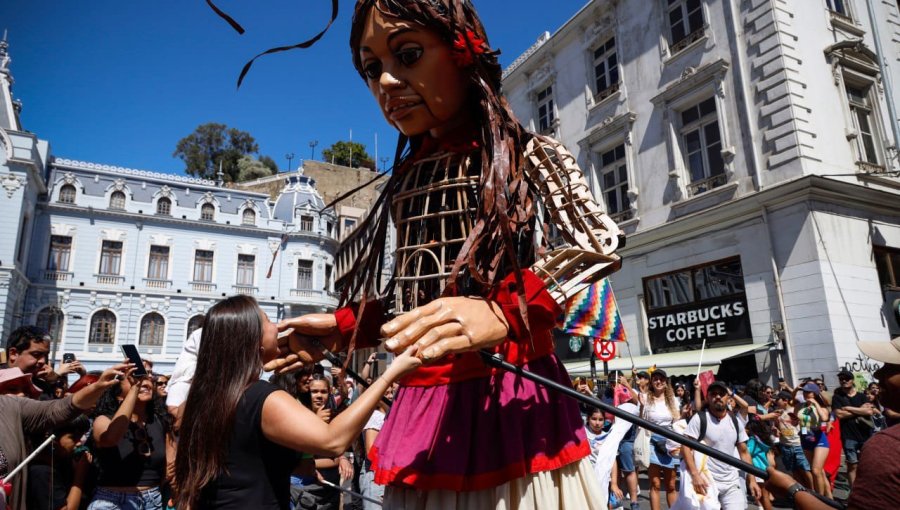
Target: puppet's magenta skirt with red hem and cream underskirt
(493, 435)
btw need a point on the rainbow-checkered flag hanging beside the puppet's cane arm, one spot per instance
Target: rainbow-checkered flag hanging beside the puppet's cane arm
(593, 313)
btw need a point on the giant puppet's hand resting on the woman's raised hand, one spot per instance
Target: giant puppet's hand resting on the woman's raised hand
(447, 325)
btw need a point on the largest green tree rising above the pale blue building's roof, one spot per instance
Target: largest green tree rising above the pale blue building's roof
(213, 144)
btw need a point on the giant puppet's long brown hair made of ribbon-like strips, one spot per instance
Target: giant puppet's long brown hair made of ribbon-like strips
(504, 215)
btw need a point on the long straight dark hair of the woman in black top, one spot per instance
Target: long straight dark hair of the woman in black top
(229, 360)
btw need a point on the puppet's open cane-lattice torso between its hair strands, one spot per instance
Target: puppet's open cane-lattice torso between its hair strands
(433, 211)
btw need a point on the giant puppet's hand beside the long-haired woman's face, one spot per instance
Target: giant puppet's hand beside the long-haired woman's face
(297, 348)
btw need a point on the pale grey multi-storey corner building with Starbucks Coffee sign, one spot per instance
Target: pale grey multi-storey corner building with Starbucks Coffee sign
(749, 151)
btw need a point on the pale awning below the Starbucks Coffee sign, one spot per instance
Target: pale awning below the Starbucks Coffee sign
(674, 363)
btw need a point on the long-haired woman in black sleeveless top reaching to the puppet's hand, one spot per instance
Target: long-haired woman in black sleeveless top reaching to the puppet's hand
(240, 436)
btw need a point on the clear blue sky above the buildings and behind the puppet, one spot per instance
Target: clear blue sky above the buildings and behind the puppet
(120, 82)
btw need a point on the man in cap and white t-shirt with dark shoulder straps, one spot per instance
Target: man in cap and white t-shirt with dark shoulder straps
(724, 434)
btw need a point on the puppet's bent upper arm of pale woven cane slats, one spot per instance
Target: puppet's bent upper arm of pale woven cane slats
(591, 236)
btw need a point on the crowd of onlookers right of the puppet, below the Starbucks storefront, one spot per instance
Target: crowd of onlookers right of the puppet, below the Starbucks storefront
(804, 430)
